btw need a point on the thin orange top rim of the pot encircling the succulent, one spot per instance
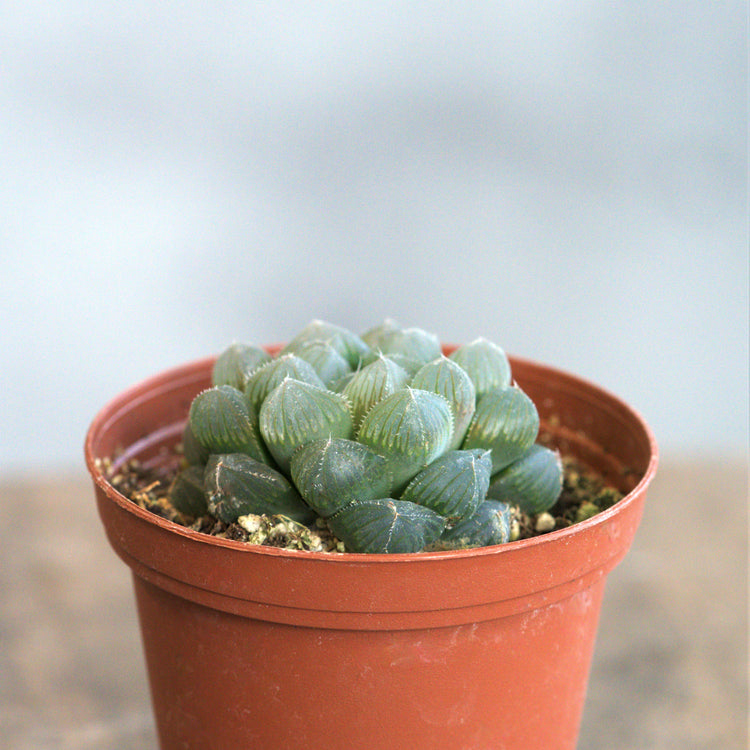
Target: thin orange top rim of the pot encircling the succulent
(109, 413)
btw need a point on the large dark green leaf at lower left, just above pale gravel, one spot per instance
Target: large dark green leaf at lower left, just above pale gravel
(237, 485)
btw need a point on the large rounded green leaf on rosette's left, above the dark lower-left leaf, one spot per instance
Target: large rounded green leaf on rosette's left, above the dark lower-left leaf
(222, 421)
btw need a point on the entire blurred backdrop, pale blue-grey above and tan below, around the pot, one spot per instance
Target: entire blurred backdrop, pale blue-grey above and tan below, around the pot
(566, 178)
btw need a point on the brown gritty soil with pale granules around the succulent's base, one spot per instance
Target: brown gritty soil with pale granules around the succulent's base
(584, 494)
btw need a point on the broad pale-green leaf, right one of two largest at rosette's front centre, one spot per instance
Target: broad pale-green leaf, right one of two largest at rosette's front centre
(411, 428)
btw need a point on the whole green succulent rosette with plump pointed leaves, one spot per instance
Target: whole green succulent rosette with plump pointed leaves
(397, 447)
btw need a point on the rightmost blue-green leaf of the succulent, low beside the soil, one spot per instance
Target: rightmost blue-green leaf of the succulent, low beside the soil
(533, 482)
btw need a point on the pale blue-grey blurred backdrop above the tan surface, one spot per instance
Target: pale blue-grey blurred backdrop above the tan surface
(565, 178)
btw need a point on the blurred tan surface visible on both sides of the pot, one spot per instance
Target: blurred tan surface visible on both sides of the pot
(670, 668)
